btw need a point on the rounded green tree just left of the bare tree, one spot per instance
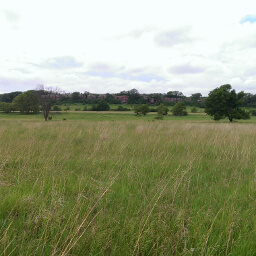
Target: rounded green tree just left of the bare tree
(26, 103)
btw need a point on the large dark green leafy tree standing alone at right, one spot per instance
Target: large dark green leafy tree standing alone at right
(223, 102)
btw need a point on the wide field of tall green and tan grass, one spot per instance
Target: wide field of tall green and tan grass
(133, 186)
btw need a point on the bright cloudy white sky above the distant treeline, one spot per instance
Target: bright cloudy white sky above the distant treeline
(103, 46)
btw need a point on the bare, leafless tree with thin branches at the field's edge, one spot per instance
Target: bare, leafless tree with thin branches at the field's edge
(47, 97)
